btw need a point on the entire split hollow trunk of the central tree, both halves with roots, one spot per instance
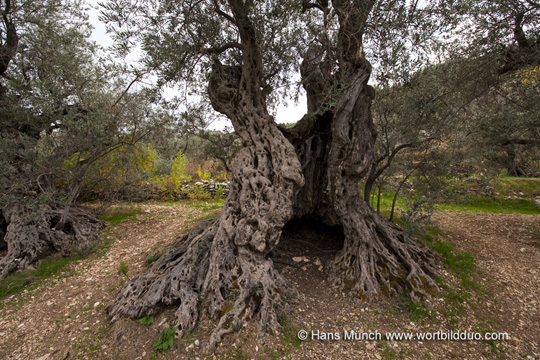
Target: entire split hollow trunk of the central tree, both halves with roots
(312, 169)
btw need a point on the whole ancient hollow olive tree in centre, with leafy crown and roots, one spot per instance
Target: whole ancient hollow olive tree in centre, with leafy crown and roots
(244, 50)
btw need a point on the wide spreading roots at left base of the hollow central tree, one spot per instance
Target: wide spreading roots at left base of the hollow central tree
(238, 289)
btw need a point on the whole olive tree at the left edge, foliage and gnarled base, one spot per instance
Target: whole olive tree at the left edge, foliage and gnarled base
(59, 116)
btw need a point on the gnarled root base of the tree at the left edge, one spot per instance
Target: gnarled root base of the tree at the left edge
(31, 235)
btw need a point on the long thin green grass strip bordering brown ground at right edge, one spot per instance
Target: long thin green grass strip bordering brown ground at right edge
(492, 205)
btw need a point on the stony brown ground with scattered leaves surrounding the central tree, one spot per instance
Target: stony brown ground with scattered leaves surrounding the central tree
(64, 317)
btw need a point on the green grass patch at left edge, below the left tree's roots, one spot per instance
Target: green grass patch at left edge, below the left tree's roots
(31, 279)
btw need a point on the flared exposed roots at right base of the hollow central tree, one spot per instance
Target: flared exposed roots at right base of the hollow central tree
(378, 259)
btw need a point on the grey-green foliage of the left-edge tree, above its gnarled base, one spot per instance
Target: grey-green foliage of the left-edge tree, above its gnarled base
(66, 115)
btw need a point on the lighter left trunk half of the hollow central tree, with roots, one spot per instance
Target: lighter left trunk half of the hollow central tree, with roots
(225, 261)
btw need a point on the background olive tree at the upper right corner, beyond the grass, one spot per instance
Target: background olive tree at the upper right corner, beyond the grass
(505, 45)
